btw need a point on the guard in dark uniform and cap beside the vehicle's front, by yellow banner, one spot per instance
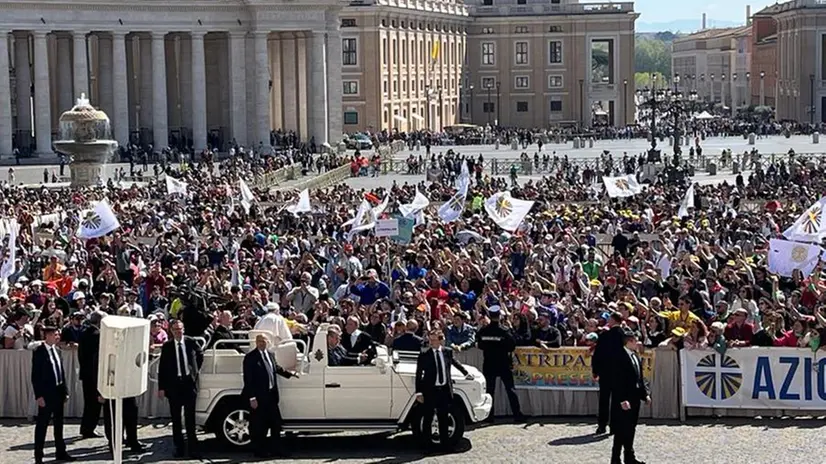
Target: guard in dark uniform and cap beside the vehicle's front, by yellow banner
(497, 344)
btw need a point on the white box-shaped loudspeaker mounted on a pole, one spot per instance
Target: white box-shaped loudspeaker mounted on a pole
(123, 365)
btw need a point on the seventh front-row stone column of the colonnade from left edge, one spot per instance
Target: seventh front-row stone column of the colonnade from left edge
(238, 87)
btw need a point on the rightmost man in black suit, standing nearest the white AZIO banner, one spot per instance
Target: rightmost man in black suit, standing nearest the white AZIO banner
(627, 393)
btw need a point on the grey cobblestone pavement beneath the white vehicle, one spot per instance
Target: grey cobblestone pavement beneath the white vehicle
(551, 440)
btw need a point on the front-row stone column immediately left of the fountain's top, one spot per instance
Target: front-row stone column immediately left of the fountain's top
(42, 95)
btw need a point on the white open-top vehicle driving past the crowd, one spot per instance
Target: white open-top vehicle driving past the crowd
(379, 397)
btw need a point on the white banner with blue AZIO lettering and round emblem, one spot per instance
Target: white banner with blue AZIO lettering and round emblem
(754, 378)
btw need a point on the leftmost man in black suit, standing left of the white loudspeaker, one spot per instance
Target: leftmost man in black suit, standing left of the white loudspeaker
(49, 384)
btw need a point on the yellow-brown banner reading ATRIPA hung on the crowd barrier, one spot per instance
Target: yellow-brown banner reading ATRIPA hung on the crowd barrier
(562, 368)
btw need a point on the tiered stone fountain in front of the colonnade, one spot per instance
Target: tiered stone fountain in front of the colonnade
(85, 138)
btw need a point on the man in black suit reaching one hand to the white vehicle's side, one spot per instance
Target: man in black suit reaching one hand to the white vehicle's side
(261, 390)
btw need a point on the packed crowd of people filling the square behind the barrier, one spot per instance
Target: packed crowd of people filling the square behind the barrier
(221, 263)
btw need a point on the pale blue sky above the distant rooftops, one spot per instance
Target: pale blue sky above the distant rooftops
(719, 10)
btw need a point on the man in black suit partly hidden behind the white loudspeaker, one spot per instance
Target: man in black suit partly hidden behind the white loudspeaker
(87, 356)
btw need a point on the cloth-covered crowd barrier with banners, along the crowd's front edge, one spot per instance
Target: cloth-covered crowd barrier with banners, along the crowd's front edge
(745, 382)
